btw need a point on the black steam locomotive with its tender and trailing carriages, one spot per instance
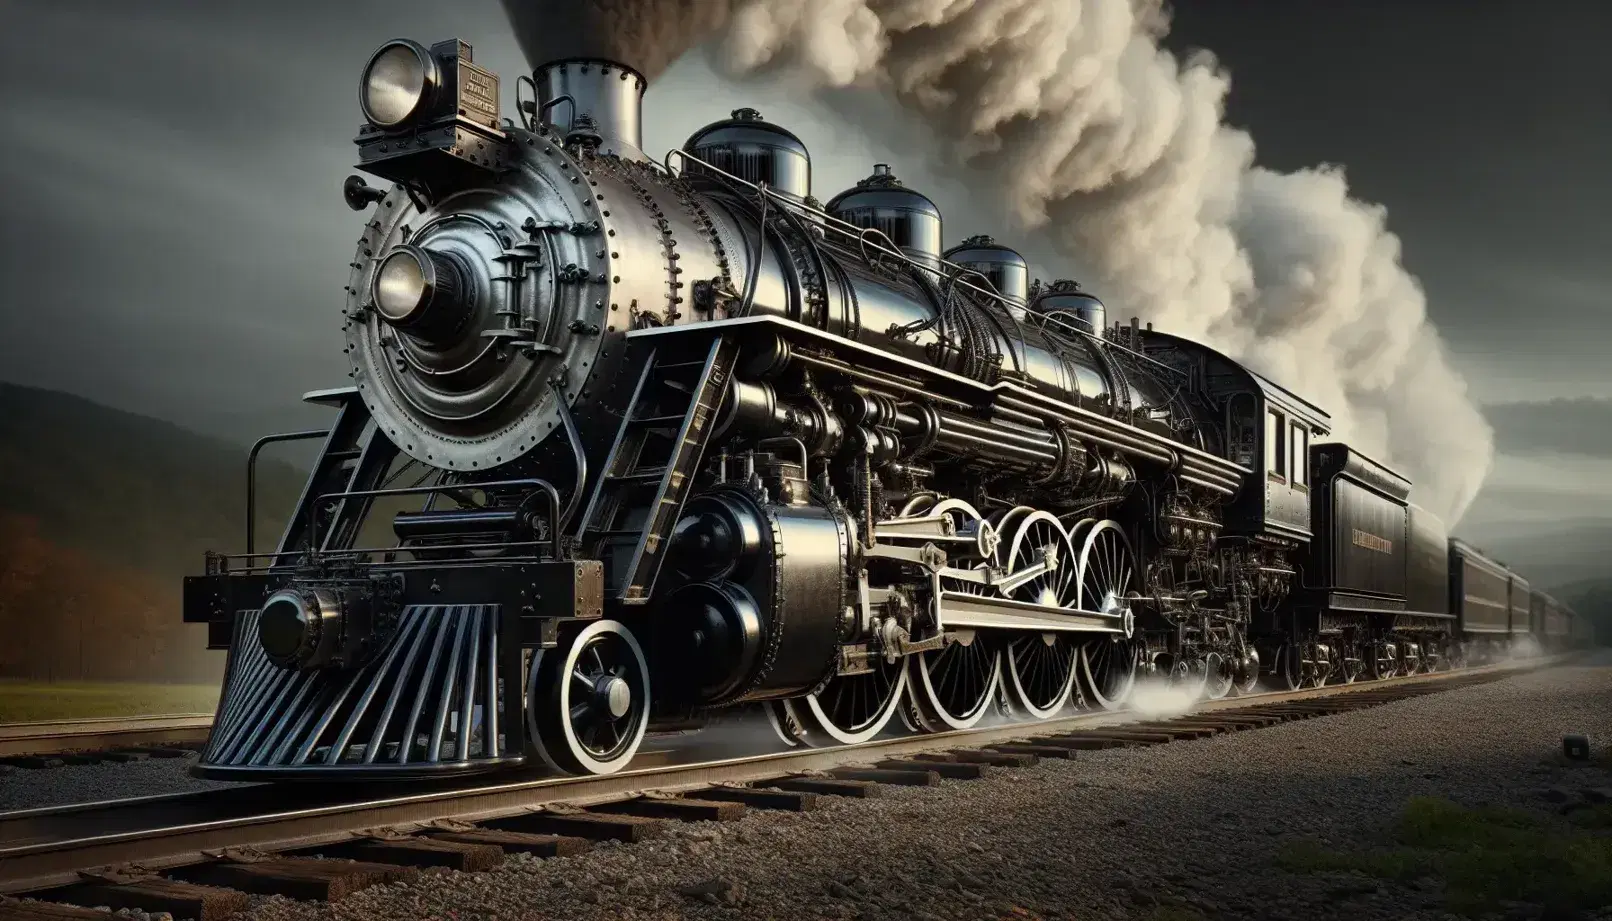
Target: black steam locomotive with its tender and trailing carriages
(631, 444)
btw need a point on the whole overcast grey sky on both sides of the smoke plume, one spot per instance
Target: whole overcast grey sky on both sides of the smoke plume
(177, 241)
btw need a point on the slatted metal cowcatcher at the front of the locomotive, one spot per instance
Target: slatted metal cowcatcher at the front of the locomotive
(426, 706)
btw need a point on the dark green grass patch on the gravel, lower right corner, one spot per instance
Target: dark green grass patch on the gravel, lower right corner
(1485, 856)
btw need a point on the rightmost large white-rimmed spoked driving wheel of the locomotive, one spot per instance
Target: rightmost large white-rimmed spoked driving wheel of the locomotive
(1107, 577)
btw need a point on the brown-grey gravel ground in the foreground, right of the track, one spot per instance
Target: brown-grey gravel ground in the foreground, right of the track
(1173, 833)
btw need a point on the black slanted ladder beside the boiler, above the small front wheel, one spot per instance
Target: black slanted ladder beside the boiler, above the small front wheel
(652, 465)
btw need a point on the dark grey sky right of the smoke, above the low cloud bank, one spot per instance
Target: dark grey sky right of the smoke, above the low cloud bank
(1484, 128)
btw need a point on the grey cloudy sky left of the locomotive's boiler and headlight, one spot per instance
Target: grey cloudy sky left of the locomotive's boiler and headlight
(178, 241)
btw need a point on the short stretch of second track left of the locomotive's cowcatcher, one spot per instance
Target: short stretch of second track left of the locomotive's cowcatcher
(56, 743)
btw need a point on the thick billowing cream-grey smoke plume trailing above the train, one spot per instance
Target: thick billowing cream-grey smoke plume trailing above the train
(1111, 152)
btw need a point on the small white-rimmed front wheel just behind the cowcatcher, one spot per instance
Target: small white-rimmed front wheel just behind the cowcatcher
(589, 701)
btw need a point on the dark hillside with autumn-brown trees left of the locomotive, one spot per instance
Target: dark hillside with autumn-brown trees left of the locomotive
(102, 514)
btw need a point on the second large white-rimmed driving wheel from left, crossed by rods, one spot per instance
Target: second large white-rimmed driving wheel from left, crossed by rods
(953, 688)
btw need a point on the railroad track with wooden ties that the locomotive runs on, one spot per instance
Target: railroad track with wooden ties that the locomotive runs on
(197, 856)
